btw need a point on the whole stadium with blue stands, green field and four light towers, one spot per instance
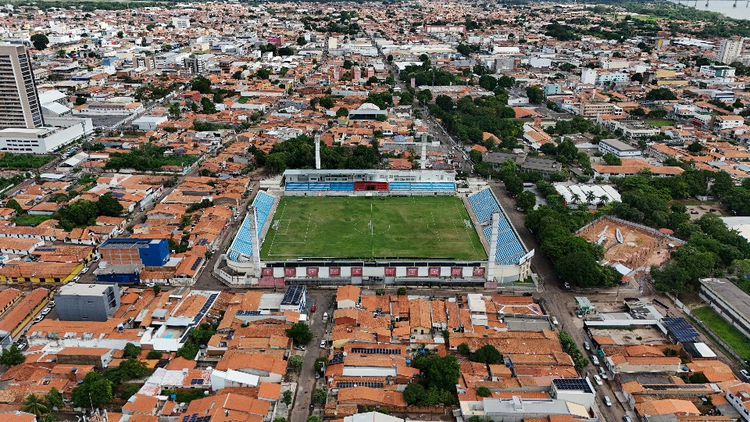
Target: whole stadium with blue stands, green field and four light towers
(411, 227)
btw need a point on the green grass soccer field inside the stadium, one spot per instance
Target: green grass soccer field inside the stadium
(375, 227)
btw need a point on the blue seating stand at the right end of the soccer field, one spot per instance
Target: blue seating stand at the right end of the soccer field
(509, 246)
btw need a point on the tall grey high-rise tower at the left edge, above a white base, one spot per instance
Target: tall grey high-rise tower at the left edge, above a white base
(19, 101)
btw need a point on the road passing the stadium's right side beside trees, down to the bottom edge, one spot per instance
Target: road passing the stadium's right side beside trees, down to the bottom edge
(558, 302)
